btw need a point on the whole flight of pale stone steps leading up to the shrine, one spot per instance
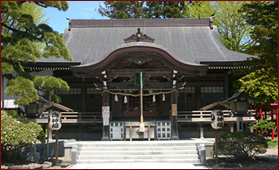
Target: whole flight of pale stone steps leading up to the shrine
(137, 151)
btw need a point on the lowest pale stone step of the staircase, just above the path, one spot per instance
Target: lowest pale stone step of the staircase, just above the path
(139, 161)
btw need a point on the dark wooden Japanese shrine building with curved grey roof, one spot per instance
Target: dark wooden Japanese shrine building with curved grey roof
(184, 64)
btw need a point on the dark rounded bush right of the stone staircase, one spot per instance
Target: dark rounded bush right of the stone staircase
(241, 145)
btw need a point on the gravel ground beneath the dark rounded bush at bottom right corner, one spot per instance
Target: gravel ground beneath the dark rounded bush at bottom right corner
(269, 160)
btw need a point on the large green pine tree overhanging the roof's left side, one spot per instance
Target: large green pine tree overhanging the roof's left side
(24, 38)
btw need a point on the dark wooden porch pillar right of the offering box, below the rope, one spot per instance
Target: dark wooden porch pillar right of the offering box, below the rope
(174, 124)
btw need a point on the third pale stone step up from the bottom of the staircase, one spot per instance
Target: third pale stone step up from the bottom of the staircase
(138, 152)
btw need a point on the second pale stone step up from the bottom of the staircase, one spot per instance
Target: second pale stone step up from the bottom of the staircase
(144, 157)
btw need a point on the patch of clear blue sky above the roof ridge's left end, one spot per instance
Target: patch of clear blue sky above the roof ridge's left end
(77, 10)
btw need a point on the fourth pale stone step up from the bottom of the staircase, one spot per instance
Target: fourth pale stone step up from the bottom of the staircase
(131, 148)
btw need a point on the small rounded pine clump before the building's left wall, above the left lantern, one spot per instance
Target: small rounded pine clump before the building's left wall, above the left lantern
(49, 85)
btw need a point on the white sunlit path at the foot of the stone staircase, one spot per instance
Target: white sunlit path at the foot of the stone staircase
(140, 166)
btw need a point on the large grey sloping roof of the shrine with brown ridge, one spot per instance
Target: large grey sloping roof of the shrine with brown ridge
(191, 41)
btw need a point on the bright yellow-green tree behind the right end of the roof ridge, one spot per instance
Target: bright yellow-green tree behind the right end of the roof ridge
(232, 27)
